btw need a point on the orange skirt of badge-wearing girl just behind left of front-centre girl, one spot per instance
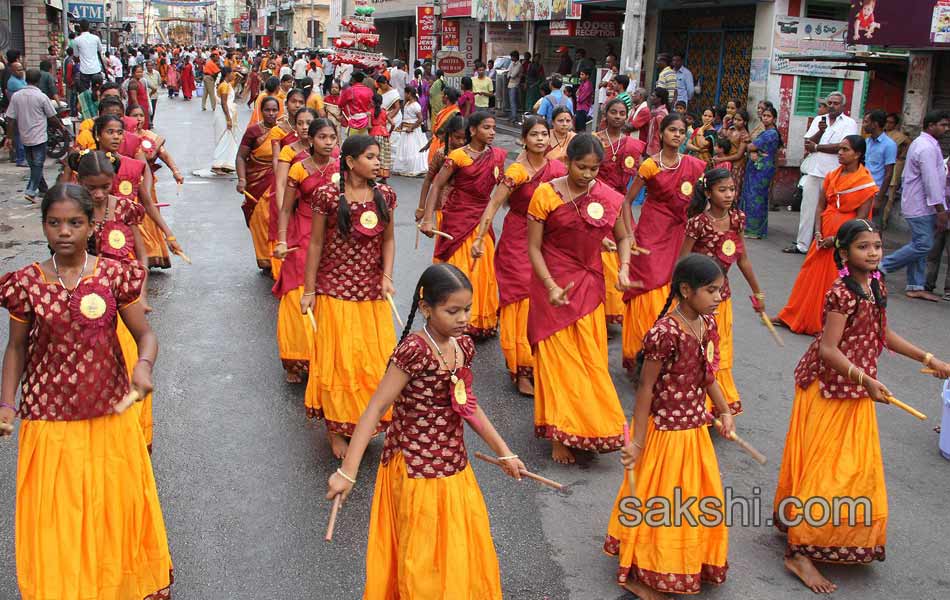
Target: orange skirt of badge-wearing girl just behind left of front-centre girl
(356, 341)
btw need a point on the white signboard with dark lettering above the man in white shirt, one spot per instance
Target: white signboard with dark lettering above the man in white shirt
(796, 36)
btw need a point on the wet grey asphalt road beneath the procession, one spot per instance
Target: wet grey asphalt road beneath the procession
(242, 474)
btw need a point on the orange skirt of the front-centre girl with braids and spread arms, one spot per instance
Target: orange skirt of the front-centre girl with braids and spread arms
(429, 538)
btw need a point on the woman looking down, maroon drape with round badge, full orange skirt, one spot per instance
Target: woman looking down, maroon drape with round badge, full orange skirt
(575, 402)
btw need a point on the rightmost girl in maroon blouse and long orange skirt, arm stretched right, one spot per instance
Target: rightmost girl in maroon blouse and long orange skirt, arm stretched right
(832, 448)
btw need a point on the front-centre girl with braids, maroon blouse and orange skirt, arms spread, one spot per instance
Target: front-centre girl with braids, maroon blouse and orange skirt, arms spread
(429, 535)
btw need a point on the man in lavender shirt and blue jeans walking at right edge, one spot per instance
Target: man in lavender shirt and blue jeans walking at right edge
(923, 204)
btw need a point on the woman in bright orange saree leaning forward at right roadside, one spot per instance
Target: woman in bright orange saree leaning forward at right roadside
(848, 193)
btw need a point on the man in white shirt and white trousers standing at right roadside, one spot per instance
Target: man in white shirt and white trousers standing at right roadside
(822, 140)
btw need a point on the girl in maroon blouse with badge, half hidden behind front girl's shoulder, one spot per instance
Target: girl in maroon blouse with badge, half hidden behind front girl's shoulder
(715, 229)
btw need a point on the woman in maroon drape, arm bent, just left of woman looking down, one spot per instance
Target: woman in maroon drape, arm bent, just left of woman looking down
(521, 180)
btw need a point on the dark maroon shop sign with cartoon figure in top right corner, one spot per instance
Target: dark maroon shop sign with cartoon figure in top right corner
(916, 24)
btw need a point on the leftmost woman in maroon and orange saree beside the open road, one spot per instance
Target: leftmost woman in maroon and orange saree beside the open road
(256, 178)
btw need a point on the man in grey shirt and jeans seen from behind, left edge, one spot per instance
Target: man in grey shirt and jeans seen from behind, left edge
(28, 116)
